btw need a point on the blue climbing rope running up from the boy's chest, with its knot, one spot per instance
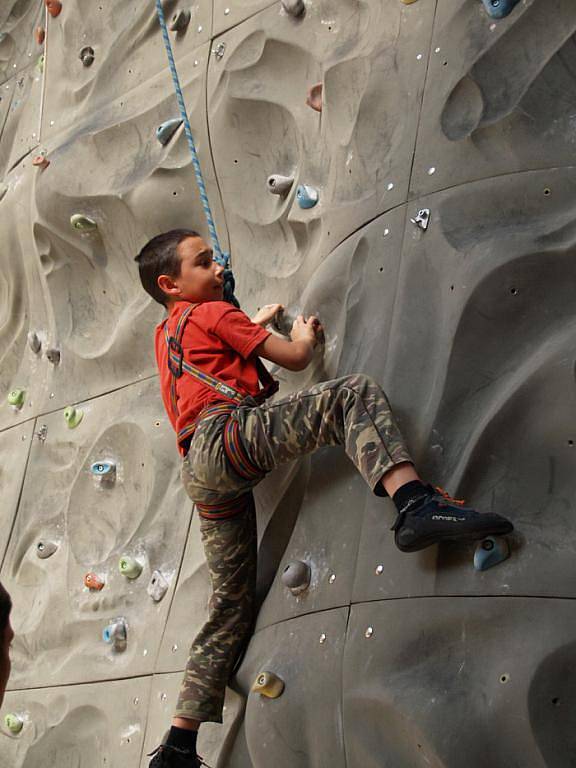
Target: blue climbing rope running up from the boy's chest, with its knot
(221, 257)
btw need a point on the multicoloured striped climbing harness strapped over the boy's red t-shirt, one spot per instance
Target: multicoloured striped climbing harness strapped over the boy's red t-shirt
(177, 366)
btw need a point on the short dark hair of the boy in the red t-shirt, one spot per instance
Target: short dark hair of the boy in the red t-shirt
(159, 257)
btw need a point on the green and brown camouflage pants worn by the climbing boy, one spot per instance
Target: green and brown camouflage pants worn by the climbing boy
(352, 411)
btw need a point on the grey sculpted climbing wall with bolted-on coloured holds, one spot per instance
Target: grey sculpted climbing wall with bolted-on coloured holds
(423, 204)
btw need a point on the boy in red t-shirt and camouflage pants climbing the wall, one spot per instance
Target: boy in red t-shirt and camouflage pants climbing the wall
(214, 388)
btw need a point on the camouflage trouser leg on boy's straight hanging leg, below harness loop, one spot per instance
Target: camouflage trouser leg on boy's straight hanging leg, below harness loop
(230, 547)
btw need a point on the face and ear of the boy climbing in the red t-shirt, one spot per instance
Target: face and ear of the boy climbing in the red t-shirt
(200, 279)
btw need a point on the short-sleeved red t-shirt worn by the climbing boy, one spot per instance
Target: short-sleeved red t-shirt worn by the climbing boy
(219, 339)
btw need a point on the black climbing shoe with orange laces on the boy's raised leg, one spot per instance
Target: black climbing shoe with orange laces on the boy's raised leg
(435, 517)
